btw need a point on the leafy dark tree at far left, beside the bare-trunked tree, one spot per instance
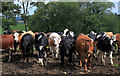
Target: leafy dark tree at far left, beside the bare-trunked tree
(9, 13)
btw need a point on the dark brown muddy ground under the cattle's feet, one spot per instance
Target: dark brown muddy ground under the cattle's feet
(19, 66)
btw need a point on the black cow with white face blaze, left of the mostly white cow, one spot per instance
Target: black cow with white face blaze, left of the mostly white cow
(41, 44)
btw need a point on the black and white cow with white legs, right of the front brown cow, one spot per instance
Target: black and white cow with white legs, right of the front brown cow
(105, 44)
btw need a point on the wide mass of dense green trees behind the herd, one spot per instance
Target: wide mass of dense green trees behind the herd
(76, 16)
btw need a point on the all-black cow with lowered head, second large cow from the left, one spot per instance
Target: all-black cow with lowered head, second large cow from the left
(26, 44)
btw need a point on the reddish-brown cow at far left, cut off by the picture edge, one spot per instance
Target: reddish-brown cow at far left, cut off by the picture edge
(7, 42)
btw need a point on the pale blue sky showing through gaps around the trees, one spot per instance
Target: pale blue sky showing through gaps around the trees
(114, 10)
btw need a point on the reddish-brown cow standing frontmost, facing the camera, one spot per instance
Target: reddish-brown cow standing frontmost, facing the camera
(84, 46)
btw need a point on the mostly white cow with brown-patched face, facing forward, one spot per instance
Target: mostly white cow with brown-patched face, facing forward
(54, 40)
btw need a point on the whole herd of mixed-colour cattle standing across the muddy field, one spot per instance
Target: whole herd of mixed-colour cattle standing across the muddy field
(65, 43)
